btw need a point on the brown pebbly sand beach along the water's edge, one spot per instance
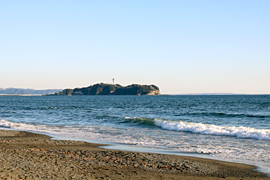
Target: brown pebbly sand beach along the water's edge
(25, 155)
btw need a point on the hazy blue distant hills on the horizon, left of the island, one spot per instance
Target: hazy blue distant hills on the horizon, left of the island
(19, 91)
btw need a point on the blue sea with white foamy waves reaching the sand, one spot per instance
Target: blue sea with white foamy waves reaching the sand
(233, 128)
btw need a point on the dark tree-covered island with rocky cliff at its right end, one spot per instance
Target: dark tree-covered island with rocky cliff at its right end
(112, 89)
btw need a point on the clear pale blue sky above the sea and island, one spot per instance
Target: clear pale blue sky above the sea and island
(180, 46)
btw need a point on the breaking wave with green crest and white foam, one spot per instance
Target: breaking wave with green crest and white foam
(206, 129)
